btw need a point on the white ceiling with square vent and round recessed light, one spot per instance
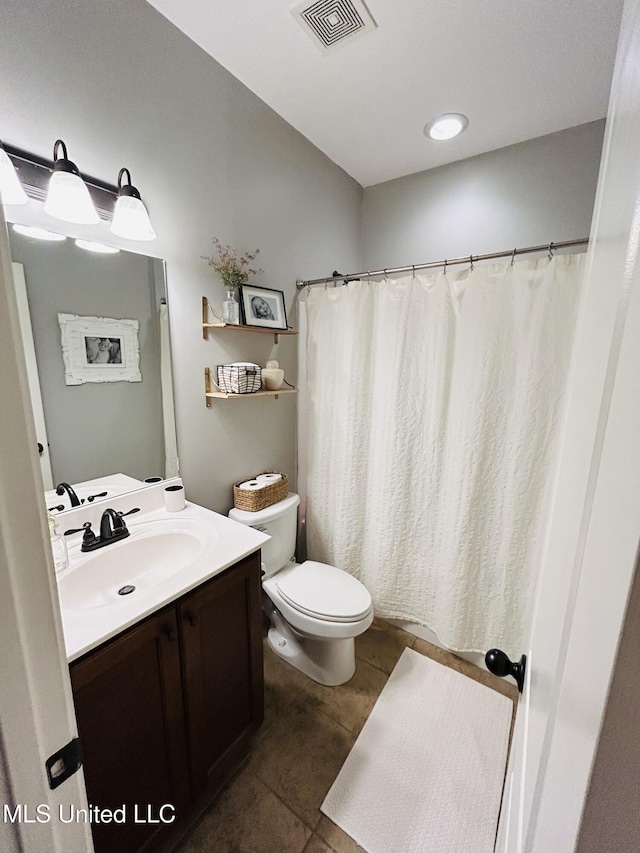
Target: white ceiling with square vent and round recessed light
(516, 69)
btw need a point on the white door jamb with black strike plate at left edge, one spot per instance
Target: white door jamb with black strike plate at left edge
(36, 708)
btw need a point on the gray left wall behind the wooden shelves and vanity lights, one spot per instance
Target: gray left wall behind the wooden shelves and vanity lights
(123, 87)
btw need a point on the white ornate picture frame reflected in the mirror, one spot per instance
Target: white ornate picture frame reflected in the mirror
(98, 349)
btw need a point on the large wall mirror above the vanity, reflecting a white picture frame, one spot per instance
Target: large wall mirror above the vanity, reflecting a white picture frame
(96, 429)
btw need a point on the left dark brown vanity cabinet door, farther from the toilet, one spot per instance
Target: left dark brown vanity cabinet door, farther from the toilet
(128, 699)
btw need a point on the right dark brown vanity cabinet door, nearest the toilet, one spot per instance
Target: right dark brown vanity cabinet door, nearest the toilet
(221, 626)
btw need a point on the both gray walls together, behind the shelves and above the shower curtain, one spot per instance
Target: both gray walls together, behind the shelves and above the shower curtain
(122, 86)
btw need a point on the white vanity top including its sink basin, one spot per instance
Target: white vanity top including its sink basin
(166, 555)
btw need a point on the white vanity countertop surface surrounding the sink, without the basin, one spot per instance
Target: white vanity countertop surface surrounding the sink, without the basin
(85, 628)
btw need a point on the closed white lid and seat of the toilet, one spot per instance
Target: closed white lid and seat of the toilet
(324, 592)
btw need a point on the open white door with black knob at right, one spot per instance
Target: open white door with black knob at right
(594, 531)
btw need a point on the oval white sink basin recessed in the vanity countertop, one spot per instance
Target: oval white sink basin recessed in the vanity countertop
(154, 553)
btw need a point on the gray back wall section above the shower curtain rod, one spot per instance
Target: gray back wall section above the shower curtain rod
(524, 195)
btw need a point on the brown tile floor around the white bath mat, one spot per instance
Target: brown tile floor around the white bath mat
(272, 803)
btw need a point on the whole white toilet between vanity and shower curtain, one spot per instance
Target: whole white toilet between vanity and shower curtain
(315, 610)
